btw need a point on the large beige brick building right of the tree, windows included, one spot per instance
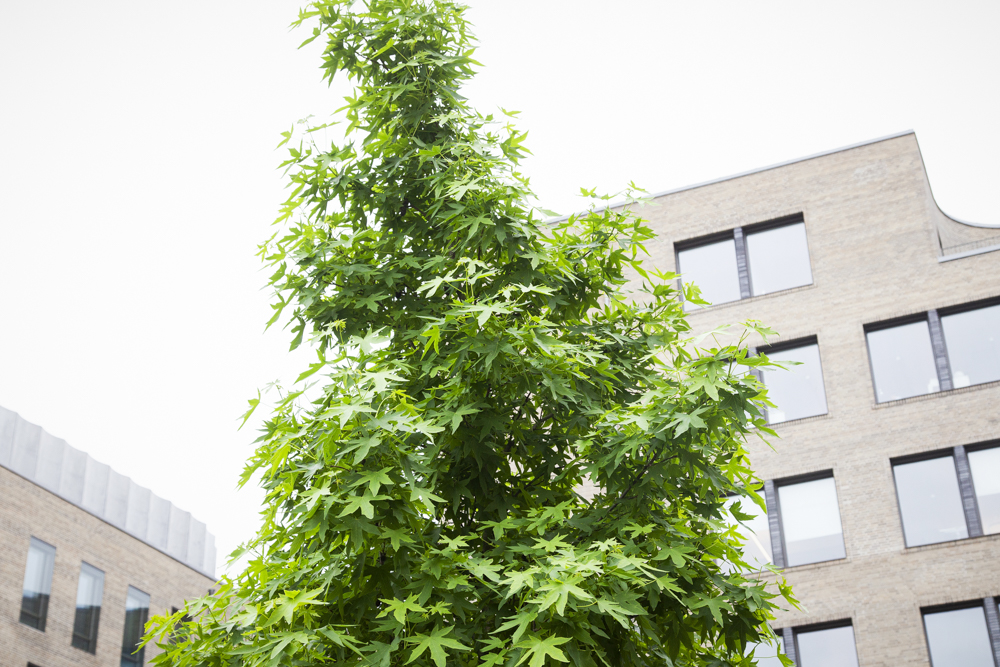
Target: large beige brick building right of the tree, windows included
(883, 490)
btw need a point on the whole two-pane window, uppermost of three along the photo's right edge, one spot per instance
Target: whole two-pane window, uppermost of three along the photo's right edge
(933, 351)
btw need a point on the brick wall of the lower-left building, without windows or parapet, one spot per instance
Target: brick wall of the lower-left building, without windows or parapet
(27, 510)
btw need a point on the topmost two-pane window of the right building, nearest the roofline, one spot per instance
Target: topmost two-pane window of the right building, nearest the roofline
(760, 259)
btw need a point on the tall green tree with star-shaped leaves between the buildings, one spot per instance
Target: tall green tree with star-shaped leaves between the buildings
(480, 365)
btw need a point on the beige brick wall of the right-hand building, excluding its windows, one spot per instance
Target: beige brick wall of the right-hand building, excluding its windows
(875, 239)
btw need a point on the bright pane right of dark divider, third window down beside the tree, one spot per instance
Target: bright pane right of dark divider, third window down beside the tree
(810, 522)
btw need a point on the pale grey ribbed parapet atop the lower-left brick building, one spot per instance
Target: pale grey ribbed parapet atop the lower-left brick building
(94, 487)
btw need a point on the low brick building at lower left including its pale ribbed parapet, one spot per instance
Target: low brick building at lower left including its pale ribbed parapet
(86, 555)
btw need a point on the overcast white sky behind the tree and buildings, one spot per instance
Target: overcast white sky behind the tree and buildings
(137, 174)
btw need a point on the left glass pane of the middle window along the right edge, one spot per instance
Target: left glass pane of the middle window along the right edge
(930, 502)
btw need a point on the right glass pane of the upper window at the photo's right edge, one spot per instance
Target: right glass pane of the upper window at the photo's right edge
(973, 342)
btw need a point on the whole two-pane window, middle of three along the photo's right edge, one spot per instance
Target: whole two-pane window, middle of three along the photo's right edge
(949, 495)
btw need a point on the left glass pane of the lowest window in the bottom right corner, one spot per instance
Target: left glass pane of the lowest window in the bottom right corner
(959, 638)
